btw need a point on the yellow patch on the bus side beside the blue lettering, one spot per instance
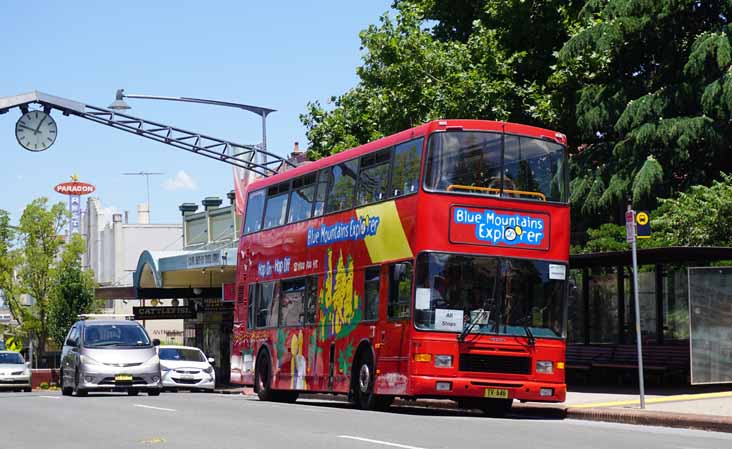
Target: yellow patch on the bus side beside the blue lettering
(390, 241)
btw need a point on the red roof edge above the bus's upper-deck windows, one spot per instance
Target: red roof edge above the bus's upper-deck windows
(422, 130)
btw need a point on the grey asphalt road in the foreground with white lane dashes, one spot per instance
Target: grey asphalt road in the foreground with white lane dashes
(200, 420)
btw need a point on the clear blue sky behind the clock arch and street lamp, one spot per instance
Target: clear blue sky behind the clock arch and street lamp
(278, 55)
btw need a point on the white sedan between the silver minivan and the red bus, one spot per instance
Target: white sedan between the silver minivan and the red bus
(186, 367)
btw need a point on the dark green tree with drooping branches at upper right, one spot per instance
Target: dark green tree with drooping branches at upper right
(653, 103)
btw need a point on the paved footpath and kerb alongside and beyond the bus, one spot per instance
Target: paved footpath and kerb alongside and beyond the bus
(691, 408)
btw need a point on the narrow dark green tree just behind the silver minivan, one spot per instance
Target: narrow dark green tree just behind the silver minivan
(73, 292)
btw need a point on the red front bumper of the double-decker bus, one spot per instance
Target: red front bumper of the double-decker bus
(521, 390)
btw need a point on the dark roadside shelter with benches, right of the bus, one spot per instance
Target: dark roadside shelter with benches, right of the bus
(685, 296)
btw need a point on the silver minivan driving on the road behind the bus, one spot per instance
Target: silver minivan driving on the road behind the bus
(109, 355)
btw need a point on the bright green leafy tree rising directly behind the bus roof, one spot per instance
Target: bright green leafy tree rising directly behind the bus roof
(481, 59)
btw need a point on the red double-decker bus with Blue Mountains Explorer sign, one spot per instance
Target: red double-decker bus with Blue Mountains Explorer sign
(428, 264)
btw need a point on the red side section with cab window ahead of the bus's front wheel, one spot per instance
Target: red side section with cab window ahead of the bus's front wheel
(391, 340)
